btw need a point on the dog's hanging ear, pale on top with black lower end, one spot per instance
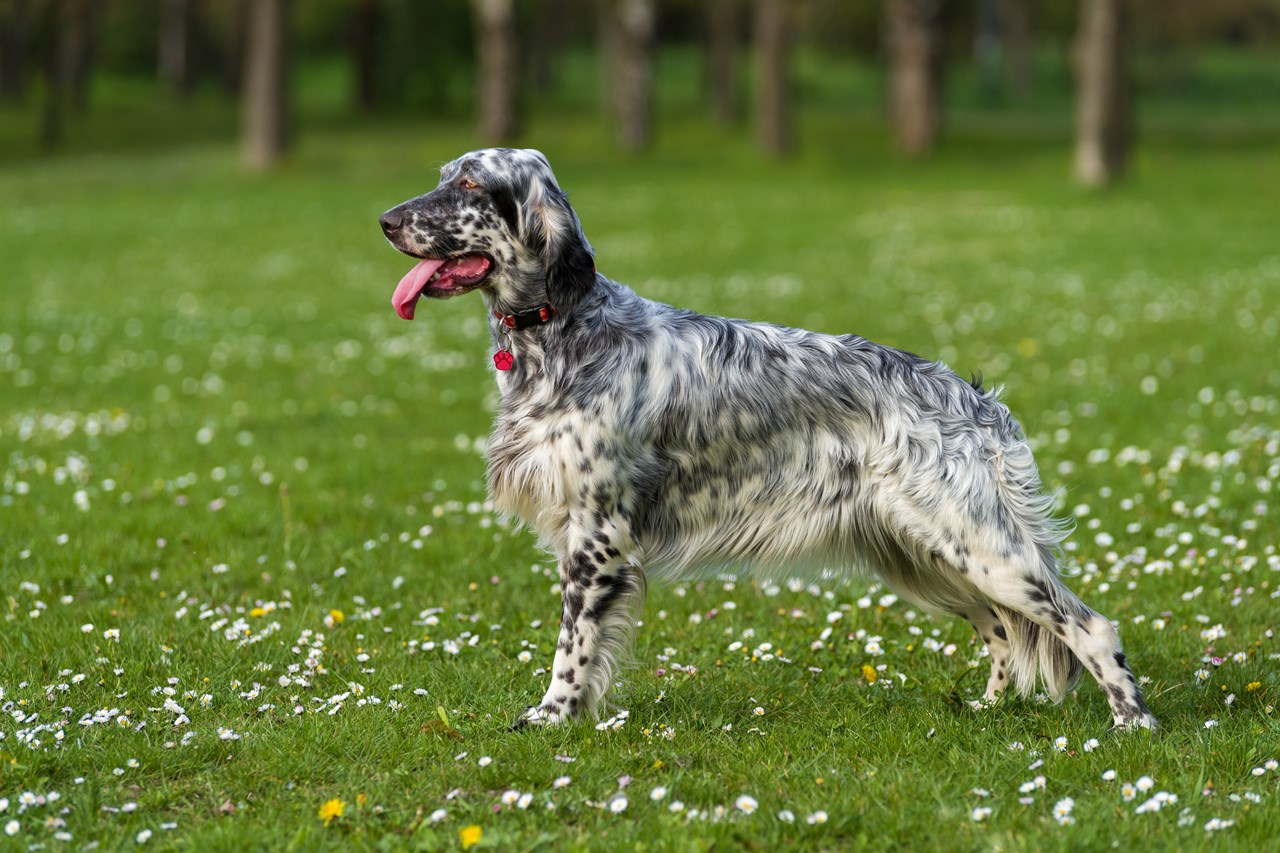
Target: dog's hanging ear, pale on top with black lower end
(551, 229)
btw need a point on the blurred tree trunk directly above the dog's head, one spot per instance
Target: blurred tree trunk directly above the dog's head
(496, 85)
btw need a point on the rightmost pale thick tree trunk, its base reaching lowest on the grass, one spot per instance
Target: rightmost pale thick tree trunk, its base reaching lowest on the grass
(1103, 121)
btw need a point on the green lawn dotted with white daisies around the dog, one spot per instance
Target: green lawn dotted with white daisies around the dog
(250, 581)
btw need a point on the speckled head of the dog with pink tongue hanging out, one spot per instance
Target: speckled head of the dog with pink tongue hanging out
(500, 222)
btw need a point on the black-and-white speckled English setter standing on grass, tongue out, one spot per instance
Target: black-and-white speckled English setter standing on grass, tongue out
(644, 440)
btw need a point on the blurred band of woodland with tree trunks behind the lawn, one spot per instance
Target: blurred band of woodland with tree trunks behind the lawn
(89, 75)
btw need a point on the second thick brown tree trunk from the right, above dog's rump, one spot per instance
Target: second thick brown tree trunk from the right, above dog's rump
(915, 54)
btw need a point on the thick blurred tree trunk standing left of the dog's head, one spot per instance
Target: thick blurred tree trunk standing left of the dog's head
(267, 104)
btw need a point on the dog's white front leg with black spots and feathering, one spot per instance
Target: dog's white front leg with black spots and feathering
(598, 594)
